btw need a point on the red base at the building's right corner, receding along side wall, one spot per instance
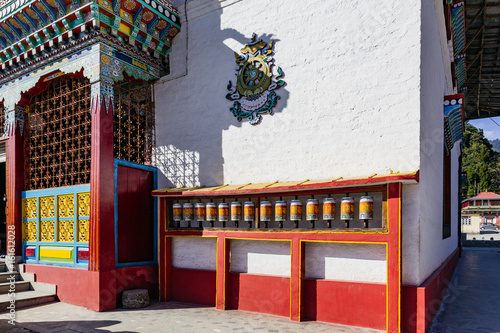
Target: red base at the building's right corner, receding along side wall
(420, 304)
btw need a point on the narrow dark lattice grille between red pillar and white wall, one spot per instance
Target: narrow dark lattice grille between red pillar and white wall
(133, 122)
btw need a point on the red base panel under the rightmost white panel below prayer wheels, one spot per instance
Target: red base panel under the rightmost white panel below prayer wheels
(347, 303)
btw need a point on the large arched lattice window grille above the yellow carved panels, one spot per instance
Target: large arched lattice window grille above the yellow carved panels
(57, 139)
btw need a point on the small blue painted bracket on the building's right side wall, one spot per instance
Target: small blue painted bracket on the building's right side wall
(453, 120)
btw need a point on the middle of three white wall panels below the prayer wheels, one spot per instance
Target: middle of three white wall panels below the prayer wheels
(261, 257)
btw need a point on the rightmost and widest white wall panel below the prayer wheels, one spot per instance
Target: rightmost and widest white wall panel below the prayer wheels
(346, 262)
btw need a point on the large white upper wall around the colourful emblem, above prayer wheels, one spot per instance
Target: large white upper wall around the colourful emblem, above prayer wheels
(352, 69)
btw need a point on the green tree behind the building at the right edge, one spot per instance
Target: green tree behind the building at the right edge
(480, 162)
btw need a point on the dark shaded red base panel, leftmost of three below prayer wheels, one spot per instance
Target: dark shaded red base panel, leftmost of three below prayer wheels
(193, 286)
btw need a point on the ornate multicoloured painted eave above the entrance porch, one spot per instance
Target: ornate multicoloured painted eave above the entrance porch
(31, 30)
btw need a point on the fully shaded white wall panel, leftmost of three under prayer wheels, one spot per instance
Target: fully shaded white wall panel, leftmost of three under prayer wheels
(194, 253)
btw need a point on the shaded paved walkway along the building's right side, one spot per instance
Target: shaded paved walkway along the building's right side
(472, 302)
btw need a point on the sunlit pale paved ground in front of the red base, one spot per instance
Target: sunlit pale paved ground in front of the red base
(159, 317)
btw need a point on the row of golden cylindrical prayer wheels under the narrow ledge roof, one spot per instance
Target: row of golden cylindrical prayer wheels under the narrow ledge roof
(237, 211)
